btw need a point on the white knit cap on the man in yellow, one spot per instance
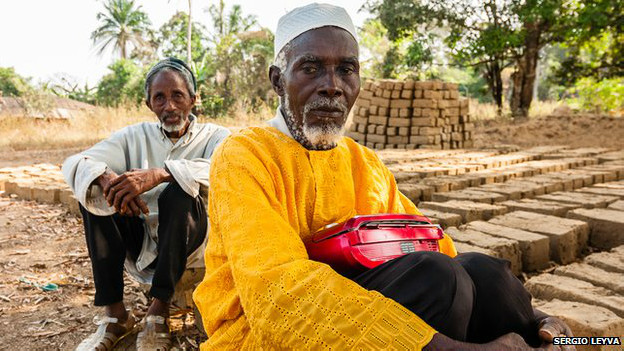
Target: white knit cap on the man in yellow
(303, 19)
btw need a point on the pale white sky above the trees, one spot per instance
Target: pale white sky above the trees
(44, 39)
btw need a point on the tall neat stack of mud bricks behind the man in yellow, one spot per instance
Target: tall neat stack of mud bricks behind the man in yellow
(392, 114)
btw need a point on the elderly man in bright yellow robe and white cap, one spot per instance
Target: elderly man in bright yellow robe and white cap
(279, 184)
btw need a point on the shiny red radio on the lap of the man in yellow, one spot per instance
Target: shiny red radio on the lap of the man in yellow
(365, 242)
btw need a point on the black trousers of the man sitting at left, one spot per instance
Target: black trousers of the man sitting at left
(182, 225)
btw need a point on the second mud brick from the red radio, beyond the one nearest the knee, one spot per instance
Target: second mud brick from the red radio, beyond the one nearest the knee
(535, 248)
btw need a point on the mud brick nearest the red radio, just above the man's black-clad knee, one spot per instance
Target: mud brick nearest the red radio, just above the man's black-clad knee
(506, 249)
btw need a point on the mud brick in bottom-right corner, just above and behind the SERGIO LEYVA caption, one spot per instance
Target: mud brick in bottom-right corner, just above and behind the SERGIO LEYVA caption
(586, 320)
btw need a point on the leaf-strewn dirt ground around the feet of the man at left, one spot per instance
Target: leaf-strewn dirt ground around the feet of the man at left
(42, 244)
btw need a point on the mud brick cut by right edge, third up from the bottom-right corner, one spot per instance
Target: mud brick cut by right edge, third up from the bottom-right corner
(597, 276)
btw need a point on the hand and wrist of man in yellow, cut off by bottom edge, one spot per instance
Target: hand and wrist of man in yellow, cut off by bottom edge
(507, 342)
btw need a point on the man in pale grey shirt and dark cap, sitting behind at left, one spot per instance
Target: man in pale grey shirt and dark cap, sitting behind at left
(139, 194)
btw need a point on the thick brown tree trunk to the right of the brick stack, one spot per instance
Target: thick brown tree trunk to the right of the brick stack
(524, 77)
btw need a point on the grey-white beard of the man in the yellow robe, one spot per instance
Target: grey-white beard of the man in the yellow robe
(322, 137)
